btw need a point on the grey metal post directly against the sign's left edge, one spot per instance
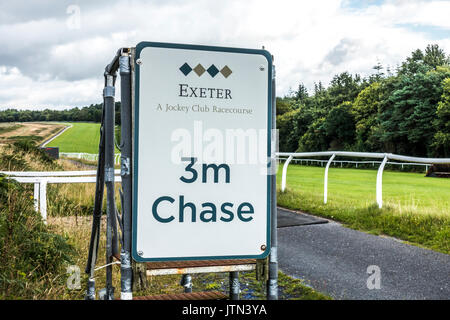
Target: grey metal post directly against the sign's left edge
(125, 172)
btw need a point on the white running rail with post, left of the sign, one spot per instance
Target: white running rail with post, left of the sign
(40, 179)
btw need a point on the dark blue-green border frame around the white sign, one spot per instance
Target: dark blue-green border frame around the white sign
(135, 152)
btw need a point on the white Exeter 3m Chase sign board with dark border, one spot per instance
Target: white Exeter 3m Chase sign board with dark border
(202, 119)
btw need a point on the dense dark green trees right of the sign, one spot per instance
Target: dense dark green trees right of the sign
(405, 111)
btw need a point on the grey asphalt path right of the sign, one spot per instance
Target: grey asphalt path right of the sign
(335, 260)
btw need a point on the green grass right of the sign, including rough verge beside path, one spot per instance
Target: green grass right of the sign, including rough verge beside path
(415, 208)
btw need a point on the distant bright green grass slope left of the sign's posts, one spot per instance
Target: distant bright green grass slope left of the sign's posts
(82, 137)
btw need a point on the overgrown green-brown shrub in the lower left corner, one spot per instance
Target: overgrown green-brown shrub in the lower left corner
(29, 252)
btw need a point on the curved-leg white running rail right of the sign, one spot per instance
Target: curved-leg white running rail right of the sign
(333, 154)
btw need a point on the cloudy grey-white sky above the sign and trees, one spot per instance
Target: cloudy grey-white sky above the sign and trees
(53, 53)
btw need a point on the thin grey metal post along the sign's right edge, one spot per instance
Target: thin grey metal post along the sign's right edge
(272, 282)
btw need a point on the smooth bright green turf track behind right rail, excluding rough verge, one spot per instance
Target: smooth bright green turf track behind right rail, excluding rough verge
(357, 187)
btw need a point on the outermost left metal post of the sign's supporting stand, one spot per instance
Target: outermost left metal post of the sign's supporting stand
(111, 226)
